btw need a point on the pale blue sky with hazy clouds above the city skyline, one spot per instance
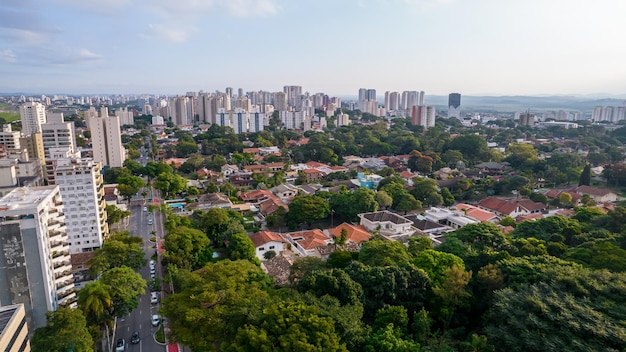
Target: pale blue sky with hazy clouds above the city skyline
(474, 47)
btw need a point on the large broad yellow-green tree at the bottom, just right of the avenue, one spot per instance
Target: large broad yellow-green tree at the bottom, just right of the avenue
(212, 303)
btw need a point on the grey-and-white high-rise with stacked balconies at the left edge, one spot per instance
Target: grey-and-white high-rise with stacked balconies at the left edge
(35, 267)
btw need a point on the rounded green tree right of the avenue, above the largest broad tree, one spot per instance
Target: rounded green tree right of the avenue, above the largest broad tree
(187, 248)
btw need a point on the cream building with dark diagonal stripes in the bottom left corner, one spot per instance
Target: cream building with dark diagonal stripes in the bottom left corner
(14, 331)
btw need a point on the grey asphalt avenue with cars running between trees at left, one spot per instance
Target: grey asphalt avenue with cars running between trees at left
(140, 318)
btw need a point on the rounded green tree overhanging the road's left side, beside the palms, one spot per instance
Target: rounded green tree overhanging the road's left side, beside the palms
(125, 287)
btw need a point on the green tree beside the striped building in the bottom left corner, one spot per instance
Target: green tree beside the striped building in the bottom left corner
(66, 330)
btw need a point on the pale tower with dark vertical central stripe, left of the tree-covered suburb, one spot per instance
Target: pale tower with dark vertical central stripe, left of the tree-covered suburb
(106, 140)
